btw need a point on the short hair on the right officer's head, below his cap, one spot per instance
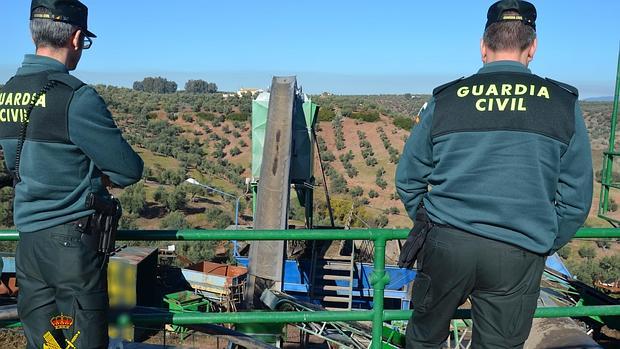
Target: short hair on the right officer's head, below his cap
(509, 35)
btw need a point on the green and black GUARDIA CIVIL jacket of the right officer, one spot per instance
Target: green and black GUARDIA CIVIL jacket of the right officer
(513, 183)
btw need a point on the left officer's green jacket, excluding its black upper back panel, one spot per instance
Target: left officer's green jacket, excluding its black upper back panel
(57, 177)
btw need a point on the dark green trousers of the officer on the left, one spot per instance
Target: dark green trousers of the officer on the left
(58, 275)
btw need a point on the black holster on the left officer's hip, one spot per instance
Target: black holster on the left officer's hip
(100, 231)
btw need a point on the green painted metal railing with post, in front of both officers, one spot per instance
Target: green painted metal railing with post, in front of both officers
(378, 280)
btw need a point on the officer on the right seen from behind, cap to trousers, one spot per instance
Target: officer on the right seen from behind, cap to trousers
(507, 155)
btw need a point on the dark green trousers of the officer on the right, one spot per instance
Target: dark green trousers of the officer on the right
(502, 282)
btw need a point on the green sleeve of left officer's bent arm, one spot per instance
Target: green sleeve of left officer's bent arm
(93, 130)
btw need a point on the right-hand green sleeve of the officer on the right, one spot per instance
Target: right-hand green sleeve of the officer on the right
(574, 189)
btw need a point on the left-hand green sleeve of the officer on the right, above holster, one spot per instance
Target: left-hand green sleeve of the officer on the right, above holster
(416, 162)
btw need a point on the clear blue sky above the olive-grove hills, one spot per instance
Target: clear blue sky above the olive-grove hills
(345, 47)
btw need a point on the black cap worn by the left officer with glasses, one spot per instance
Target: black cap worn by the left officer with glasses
(68, 11)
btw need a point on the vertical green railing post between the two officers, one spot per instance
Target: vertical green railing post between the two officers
(378, 280)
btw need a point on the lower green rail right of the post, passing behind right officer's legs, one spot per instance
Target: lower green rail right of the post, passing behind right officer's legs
(545, 312)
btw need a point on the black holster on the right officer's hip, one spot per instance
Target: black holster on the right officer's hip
(410, 251)
